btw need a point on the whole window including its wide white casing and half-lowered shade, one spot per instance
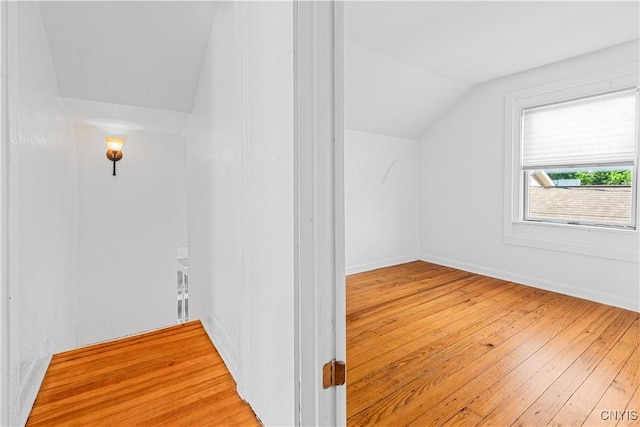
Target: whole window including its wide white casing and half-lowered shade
(571, 165)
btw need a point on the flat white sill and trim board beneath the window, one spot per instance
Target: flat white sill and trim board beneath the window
(617, 244)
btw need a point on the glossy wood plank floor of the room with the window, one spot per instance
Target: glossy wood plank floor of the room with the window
(429, 345)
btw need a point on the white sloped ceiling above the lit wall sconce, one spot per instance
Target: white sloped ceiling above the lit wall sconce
(138, 53)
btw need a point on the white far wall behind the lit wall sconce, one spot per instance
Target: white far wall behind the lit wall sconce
(128, 229)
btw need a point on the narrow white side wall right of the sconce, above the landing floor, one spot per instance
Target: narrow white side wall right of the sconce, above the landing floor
(216, 189)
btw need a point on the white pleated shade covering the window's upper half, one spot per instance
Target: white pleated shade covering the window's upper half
(598, 130)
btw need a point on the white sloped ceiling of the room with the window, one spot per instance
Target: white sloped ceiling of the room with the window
(408, 62)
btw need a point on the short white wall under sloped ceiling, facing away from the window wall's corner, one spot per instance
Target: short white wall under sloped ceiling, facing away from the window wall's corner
(381, 200)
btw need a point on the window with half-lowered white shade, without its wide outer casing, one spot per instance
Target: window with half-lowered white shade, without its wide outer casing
(578, 160)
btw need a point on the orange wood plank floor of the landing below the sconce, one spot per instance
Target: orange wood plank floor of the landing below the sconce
(172, 376)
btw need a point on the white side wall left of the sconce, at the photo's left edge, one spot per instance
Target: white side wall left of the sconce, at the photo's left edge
(42, 306)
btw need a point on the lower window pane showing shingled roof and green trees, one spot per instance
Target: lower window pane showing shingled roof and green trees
(600, 196)
